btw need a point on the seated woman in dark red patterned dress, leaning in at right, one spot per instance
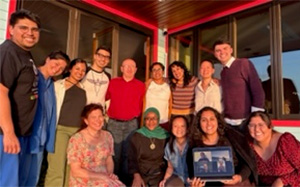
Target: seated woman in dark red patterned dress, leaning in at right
(277, 155)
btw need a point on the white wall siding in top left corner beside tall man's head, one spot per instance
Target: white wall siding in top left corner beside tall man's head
(3, 19)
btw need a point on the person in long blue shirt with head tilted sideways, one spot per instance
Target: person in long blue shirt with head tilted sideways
(44, 124)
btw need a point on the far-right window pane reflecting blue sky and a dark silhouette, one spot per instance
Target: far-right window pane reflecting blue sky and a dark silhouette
(290, 27)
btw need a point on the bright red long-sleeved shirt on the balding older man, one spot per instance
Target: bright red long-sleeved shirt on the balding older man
(126, 98)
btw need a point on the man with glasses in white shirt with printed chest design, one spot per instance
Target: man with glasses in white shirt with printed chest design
(96, 80)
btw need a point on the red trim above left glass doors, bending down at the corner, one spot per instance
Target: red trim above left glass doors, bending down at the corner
(130, 18)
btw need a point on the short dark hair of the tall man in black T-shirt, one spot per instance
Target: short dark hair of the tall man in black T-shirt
(22, 14)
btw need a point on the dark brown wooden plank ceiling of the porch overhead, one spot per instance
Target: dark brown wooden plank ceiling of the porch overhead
(171, 14)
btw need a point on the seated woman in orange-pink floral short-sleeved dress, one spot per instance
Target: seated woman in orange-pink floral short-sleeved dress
(90, 152)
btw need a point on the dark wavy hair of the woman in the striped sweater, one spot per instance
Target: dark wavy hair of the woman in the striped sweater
(186, 78)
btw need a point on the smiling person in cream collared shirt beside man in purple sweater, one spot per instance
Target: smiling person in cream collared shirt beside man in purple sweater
(208, 93)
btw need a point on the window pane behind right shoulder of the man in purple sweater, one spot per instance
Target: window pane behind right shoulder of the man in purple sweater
(254, 24)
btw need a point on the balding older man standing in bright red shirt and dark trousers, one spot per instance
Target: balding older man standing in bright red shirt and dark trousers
(126, 100)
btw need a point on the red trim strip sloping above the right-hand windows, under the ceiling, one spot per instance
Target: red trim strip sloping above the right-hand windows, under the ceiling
(219, 15)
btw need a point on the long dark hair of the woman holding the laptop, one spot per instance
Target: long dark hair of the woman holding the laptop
(196, 133)
